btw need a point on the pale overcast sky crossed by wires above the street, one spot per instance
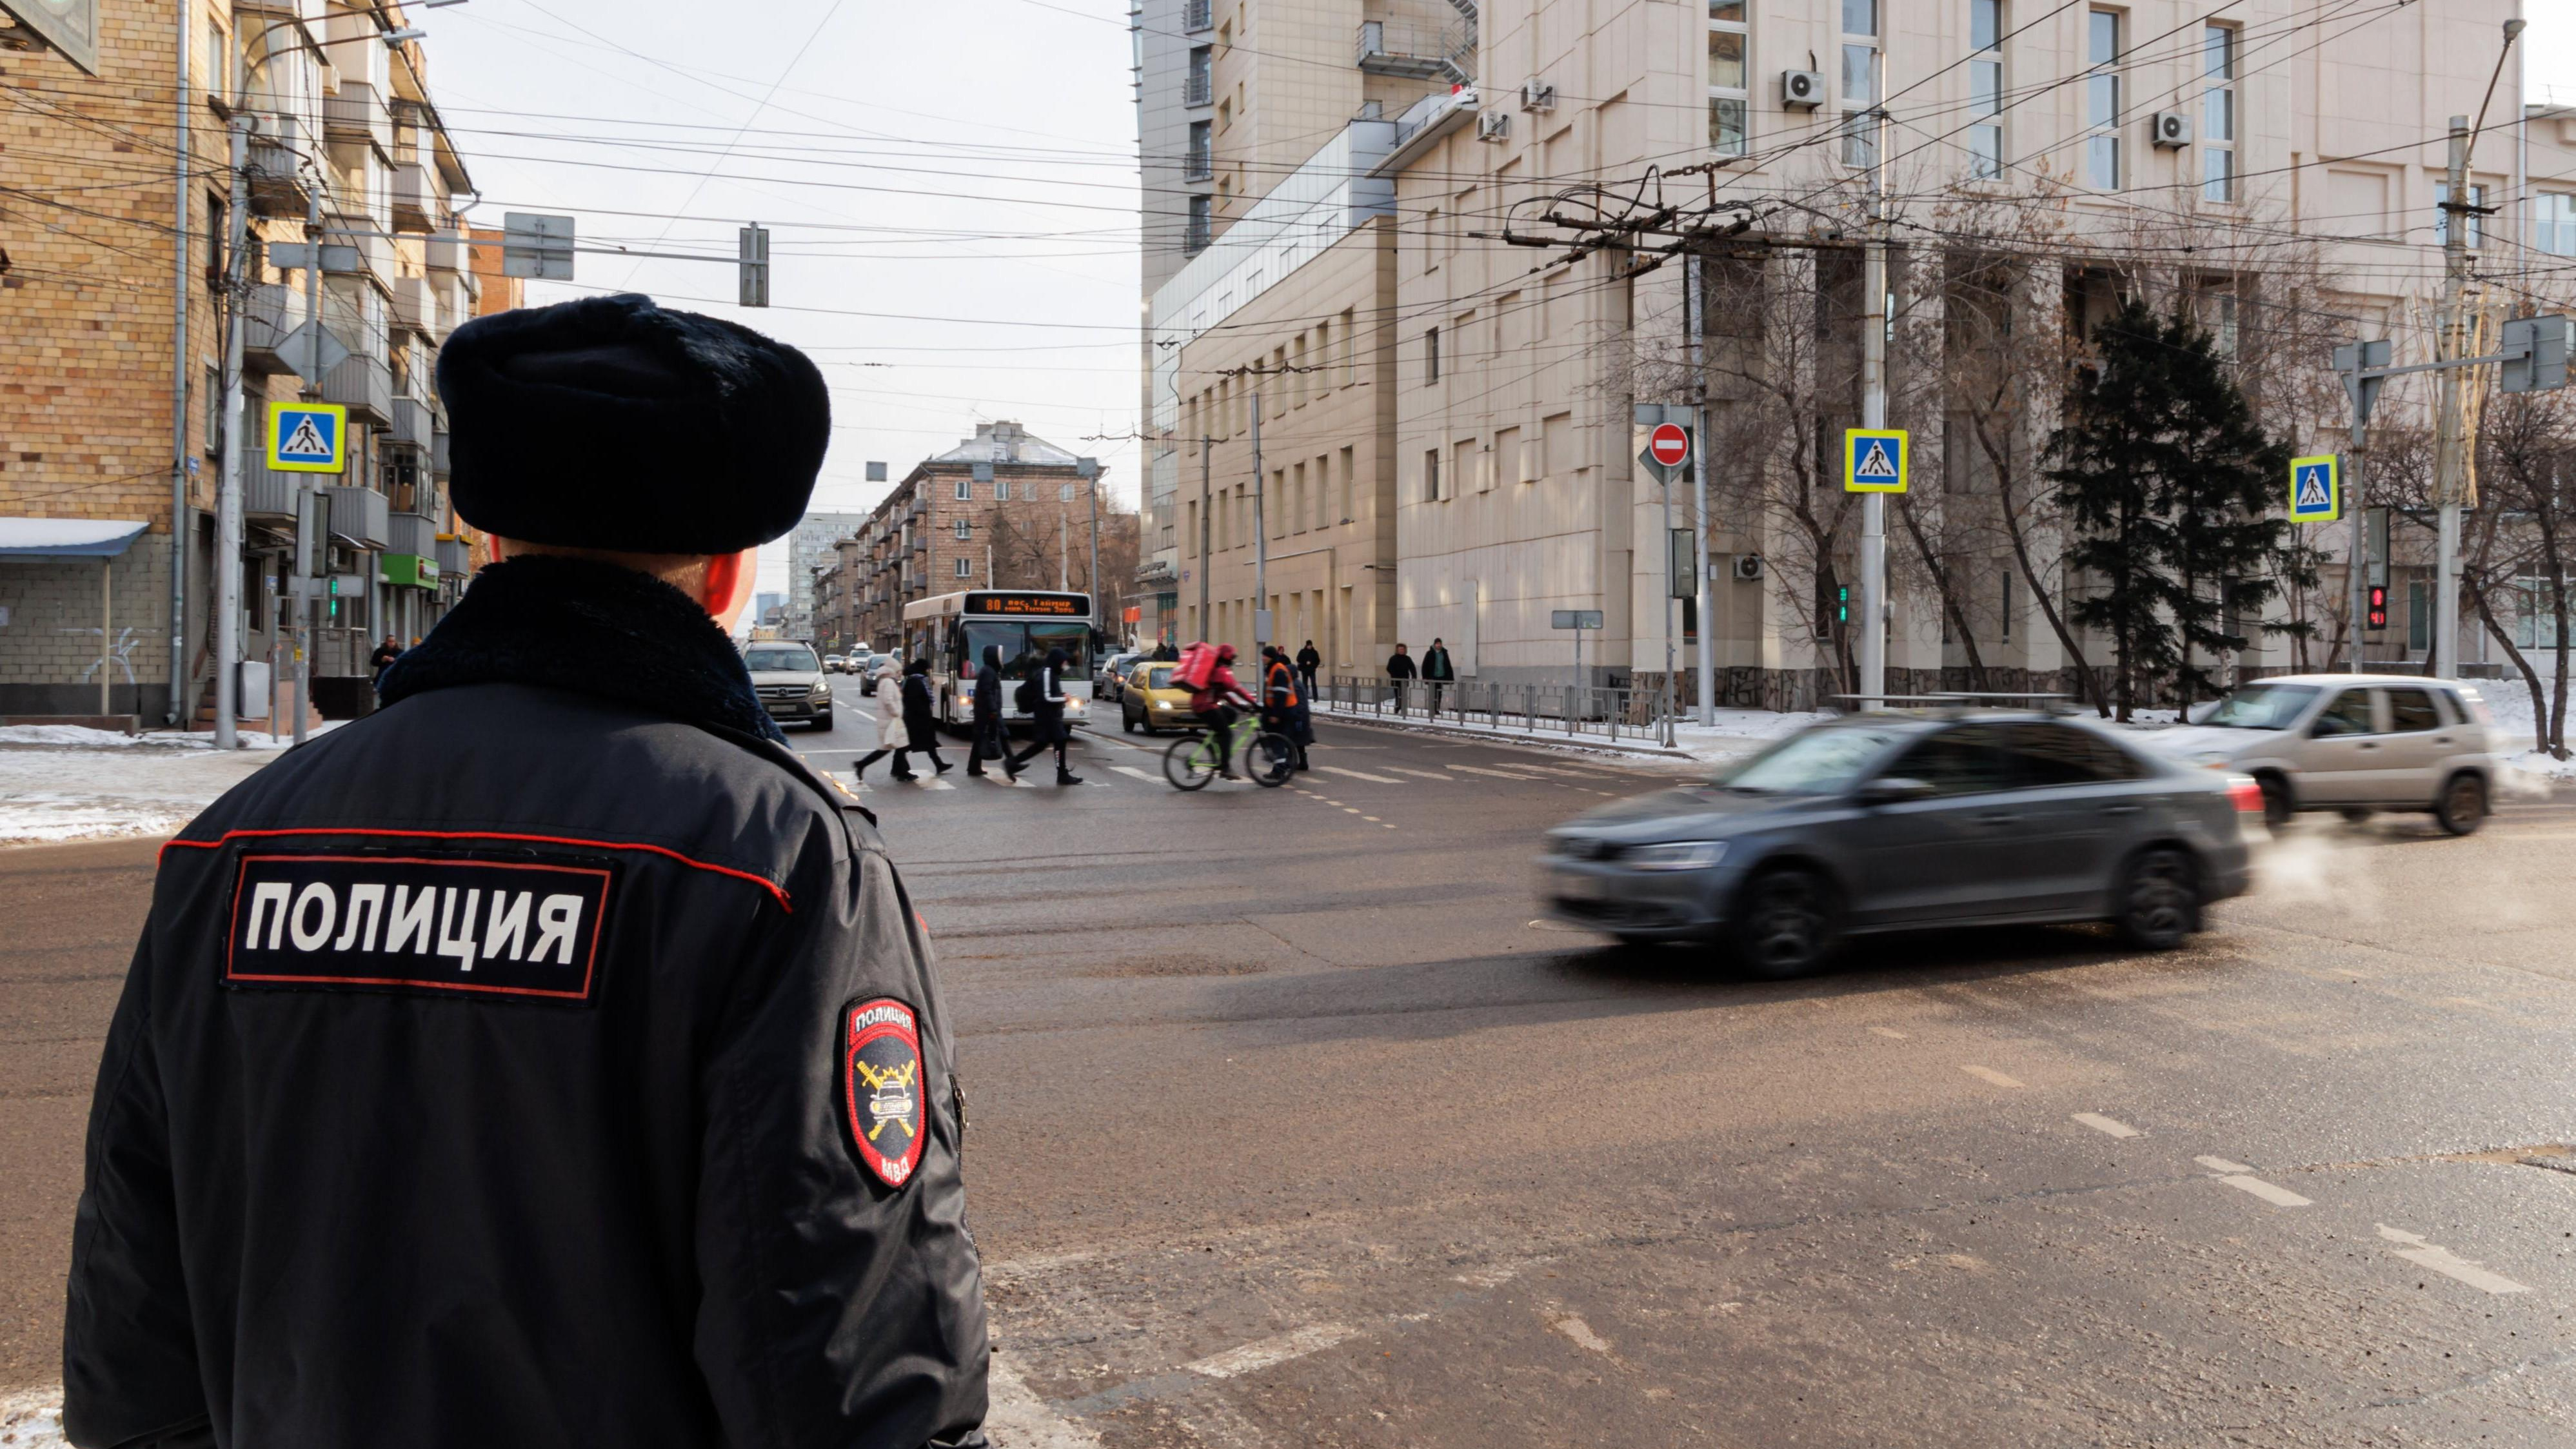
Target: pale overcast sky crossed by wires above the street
(949, 189)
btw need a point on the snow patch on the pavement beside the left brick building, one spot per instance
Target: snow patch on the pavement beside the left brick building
(86, 784)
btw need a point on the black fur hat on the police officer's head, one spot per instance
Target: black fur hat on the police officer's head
(612, 423)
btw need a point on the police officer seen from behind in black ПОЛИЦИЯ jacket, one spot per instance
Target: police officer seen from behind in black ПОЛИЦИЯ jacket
(547, 1059)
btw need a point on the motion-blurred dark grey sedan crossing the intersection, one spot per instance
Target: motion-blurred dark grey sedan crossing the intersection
(1900, 820)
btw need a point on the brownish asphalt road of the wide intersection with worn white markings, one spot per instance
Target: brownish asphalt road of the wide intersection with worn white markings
(1289, 1126)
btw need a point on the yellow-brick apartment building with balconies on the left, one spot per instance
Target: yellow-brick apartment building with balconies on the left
(117, 313)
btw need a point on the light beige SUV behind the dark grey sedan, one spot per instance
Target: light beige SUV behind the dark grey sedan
(2353, 743)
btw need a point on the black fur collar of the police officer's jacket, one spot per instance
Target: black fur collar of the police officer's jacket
(594, 629)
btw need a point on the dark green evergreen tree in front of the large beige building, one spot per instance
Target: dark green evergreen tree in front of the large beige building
(2168, 485)
